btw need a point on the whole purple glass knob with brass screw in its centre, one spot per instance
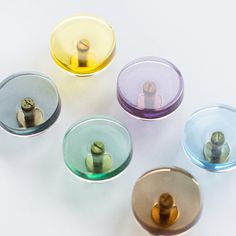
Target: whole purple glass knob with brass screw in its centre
(150, 88)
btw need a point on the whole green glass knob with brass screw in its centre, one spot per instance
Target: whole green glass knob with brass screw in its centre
(97, 148)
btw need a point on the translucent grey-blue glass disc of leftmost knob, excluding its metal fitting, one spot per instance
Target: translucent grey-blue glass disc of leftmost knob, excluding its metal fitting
(24, 85)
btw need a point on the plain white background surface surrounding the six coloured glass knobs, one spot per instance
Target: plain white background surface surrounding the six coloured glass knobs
(38, 194)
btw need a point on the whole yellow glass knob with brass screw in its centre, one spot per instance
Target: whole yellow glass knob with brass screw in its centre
(83, 45)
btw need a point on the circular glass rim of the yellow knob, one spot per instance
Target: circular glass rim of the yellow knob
(108, 58)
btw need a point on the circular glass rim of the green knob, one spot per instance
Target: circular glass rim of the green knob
(99, 177)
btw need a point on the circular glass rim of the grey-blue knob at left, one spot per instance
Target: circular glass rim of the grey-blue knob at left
(45, 125)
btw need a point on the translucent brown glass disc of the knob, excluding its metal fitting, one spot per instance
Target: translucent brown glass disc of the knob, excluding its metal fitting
(177, 182)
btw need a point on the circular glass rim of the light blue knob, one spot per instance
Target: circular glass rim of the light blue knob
(212, 167)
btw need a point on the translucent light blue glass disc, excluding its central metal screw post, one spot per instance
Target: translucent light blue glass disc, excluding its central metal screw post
(199, 129)
